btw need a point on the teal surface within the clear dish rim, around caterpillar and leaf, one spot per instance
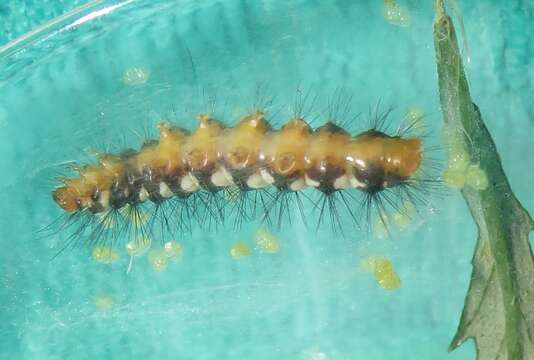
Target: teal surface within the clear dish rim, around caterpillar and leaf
(62, 93)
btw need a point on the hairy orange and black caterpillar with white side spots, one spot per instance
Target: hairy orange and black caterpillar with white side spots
(185, 176)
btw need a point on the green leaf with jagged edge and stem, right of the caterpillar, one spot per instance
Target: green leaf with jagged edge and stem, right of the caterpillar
(499, 307)
